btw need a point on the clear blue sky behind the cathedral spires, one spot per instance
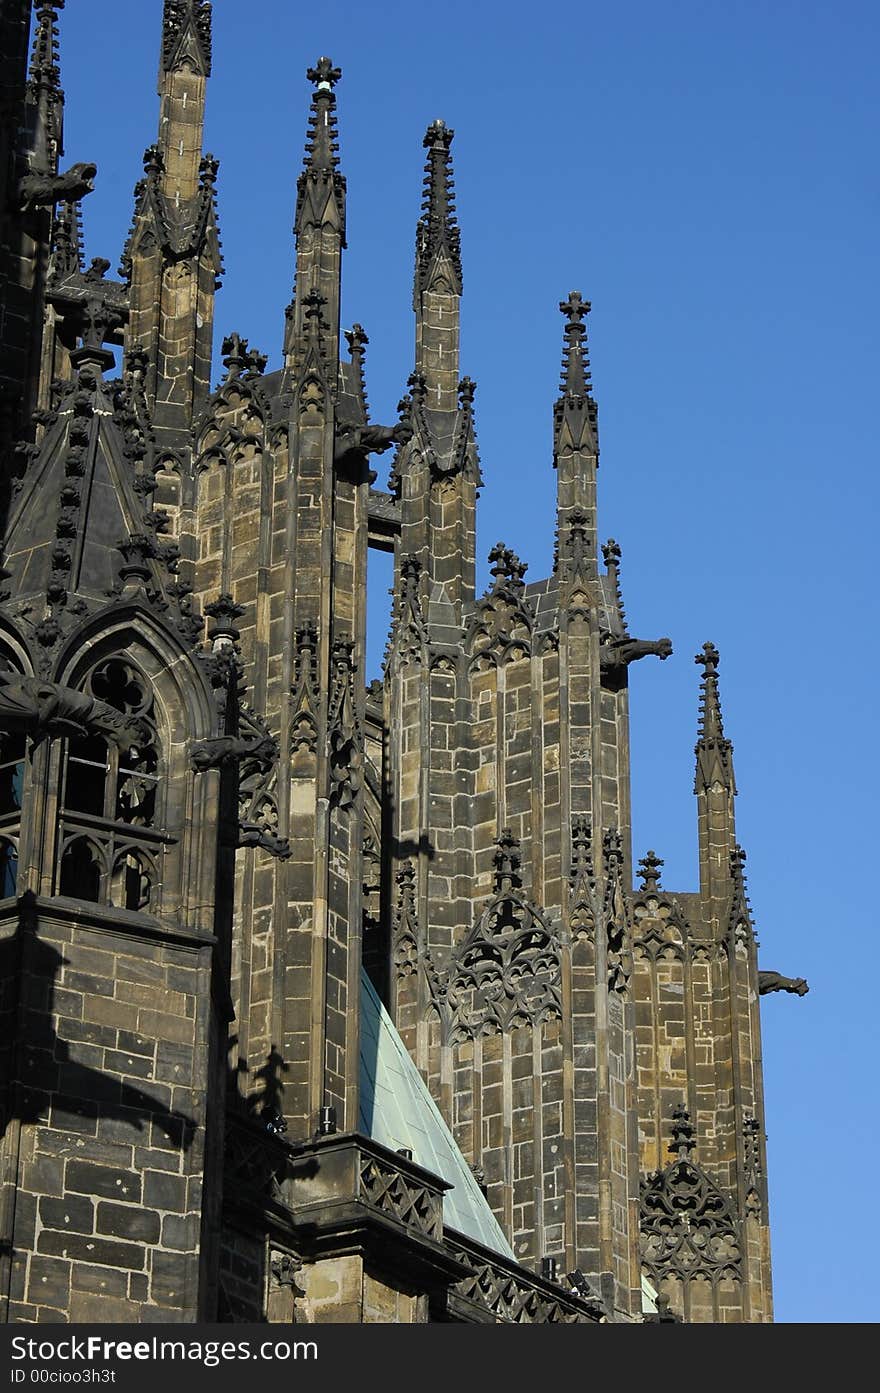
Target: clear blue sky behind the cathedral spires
(707, 175)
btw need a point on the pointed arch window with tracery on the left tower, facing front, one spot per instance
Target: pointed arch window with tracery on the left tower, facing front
(111, 845)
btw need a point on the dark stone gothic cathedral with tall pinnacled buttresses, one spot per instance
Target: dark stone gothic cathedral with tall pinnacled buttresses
(321, 1001)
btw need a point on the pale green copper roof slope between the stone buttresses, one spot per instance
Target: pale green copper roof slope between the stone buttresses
(399, 1112)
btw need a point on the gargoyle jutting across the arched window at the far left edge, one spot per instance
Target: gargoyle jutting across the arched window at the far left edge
(37, 708)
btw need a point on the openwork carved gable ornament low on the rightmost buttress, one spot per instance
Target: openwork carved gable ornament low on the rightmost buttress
(689, 1229)
